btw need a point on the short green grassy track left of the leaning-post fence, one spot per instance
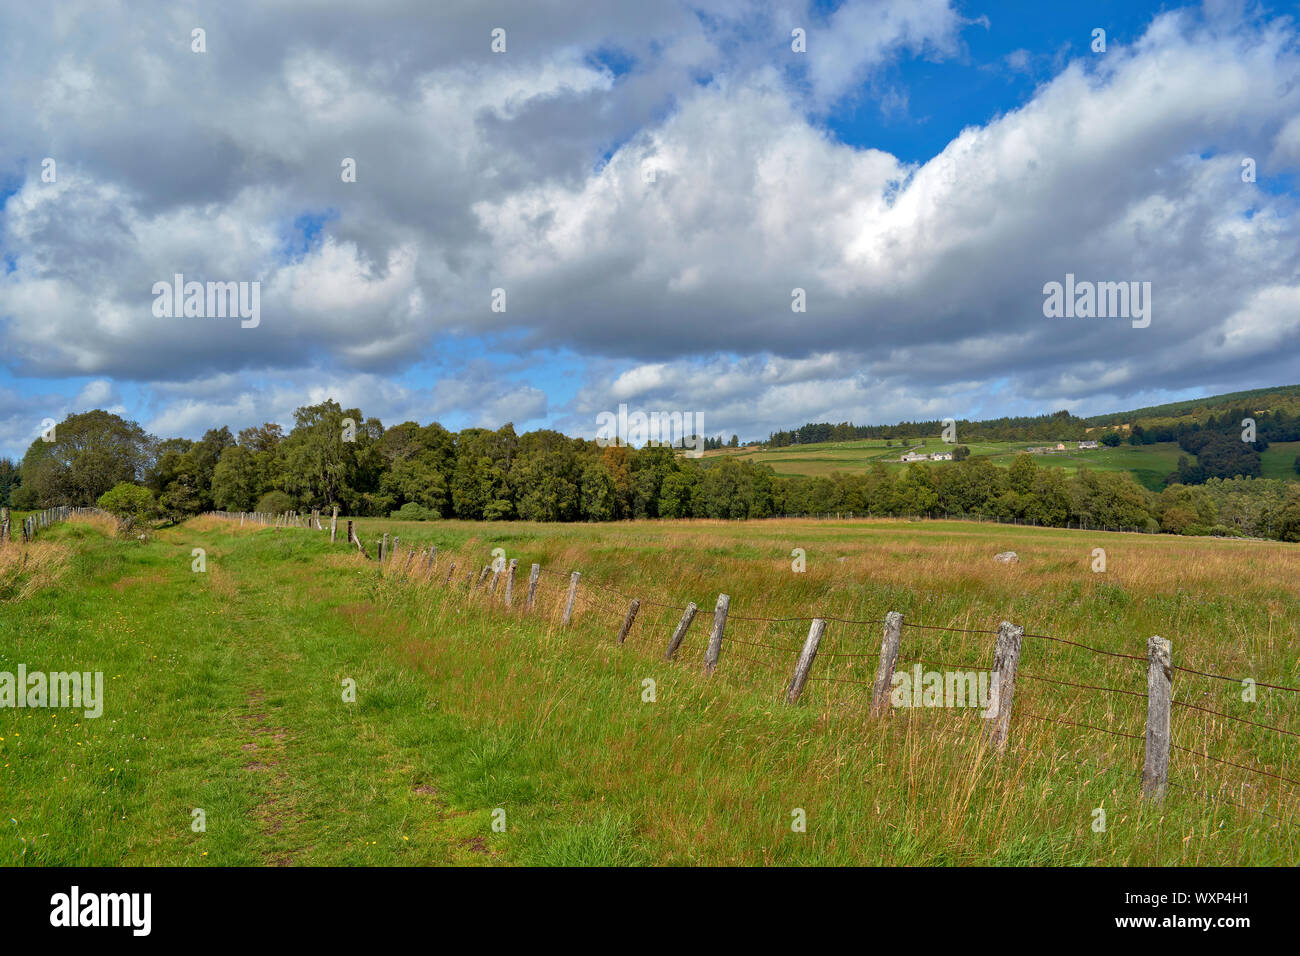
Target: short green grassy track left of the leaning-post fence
(224, 694)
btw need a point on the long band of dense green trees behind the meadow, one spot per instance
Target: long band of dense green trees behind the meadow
(335, 456)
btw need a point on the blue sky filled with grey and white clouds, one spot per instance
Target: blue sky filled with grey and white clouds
(618, 204)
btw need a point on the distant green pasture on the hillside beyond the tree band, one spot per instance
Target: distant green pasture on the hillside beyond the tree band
(1150, 465)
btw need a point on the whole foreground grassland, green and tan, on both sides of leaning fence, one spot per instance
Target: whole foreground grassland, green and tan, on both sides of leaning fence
(224, 694)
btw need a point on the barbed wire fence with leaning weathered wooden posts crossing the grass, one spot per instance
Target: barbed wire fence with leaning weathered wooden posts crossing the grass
(847, 664)
